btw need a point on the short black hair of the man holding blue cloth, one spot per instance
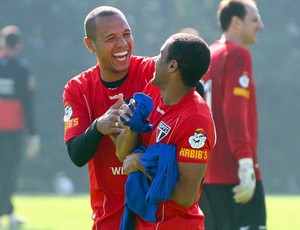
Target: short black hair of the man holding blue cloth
(192, 55)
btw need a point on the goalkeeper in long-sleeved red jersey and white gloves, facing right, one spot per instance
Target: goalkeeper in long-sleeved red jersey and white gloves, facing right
(233, 196)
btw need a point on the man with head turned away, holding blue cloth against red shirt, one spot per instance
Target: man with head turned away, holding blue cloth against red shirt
(180, 119)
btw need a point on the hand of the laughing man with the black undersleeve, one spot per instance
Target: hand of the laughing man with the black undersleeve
(108, 124)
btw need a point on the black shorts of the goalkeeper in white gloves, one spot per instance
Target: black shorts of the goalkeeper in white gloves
(222, 213)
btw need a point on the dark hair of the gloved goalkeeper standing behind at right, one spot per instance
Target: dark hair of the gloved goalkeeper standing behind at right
(227, 10)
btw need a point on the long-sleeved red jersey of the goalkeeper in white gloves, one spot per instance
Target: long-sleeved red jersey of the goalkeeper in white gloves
(230, 92)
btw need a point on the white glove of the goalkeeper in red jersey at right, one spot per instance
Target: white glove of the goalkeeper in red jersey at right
(245, 190)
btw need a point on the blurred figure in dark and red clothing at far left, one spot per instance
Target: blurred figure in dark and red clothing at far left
(16, 118)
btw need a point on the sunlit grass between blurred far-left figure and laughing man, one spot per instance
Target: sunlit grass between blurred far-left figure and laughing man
(51, 212)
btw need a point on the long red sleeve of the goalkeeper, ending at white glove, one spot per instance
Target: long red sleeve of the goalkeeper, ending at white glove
(238, 84)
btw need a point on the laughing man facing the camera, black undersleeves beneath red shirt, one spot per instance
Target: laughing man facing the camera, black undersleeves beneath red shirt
(92, 100)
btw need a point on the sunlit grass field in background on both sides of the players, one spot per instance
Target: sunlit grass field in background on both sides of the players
(49, 212)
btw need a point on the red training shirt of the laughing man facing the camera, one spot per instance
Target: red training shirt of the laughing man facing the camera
(85, 99)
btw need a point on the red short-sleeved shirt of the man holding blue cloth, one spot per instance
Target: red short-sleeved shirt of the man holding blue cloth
(190, 127)
